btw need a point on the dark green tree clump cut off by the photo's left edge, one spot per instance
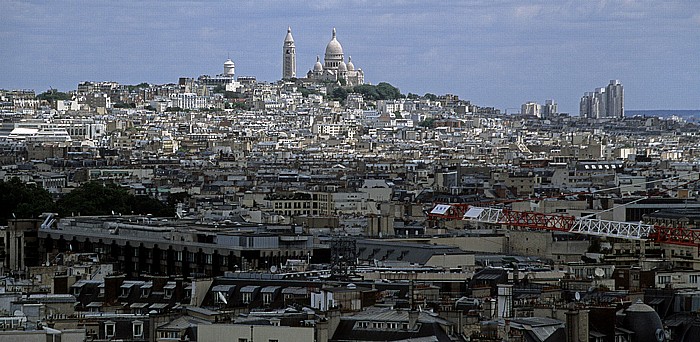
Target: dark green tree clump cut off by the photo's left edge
(23, 200)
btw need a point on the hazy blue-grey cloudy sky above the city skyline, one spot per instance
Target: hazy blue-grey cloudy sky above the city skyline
(499, 53)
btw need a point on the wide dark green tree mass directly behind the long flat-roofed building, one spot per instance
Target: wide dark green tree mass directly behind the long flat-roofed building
(94, 198)
